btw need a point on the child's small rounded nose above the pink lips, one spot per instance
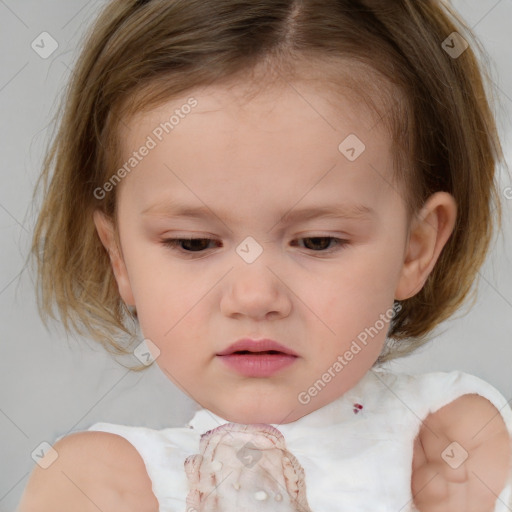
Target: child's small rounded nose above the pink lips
(256, 290)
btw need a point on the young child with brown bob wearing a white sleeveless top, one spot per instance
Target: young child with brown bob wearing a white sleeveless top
(282, 195)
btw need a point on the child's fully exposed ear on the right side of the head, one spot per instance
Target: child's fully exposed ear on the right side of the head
(428, 234)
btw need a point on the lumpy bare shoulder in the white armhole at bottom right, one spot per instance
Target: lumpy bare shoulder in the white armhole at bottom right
(461, 458)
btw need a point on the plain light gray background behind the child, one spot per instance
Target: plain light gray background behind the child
(50, 387)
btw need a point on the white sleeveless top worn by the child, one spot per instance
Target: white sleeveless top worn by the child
(356, 461)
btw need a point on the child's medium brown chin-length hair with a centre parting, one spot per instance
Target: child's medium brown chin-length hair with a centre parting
(139, 54)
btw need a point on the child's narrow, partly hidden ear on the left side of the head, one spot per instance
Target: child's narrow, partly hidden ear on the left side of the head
(105, 230)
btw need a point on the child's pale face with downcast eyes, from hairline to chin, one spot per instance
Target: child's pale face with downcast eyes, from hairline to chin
(248, 165)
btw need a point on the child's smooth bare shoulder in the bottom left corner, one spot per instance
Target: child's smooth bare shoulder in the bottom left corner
(94, 470)
